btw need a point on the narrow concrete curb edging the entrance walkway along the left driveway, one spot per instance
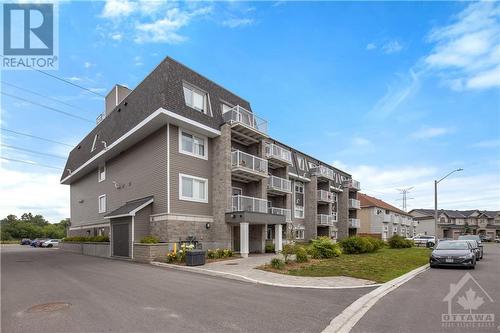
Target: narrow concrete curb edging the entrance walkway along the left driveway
(239, 277)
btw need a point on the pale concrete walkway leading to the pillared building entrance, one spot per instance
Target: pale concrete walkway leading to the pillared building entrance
(244, 269)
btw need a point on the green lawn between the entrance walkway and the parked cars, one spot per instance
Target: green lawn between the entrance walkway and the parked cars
(381, 266)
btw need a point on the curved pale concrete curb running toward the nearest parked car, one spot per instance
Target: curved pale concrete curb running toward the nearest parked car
(345, 321)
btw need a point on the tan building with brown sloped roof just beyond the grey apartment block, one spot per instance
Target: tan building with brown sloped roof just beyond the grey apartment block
(380, 219)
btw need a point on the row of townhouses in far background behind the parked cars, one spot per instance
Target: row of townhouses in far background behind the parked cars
(453, 223)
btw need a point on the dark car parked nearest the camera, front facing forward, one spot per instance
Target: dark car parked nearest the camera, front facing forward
(453, 253)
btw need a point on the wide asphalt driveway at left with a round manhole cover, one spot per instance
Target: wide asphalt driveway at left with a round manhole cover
(115, 296)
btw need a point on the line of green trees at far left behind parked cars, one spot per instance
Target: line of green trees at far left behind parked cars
(31, 226)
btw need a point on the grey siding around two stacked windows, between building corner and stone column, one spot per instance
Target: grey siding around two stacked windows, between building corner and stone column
(189, 165)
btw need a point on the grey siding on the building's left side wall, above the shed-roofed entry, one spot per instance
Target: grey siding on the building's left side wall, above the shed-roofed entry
(141, 170)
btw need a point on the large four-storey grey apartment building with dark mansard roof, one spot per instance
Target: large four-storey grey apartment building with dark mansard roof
(180, 157)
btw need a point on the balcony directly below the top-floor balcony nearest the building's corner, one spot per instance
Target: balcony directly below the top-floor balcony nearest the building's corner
(247, 168)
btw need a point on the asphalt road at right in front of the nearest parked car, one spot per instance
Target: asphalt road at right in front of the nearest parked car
(418, 305)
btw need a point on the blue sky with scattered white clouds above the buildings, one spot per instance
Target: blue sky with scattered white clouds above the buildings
(398, 94)
